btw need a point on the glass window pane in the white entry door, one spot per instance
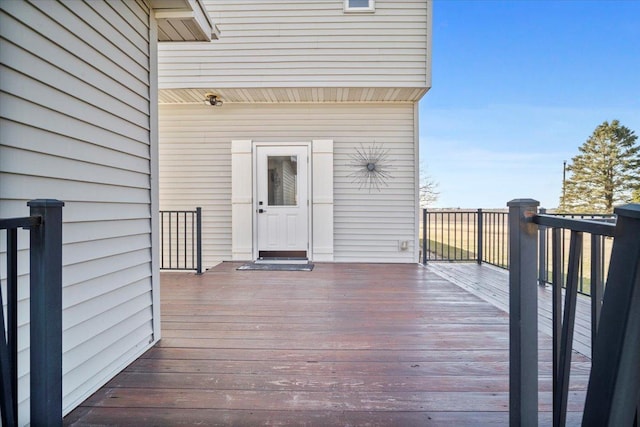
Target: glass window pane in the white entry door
(283, 180)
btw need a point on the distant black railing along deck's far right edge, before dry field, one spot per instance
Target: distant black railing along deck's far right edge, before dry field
(482, 236)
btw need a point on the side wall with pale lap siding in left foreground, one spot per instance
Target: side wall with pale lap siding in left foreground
(77, 125)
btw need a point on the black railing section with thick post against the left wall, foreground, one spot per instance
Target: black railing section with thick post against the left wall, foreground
(45, 226)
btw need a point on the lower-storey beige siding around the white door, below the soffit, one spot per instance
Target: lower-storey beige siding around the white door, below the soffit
(195, 169)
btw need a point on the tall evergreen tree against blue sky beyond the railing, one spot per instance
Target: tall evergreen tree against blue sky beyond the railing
(606, 173)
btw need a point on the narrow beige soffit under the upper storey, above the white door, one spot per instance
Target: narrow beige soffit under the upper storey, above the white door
(291, 95)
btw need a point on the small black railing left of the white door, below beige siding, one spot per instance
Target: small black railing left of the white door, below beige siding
(181, 240)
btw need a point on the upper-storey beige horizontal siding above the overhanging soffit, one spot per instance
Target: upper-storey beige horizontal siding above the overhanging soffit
(271, 44)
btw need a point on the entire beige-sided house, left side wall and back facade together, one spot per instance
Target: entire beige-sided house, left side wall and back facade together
(79, 111)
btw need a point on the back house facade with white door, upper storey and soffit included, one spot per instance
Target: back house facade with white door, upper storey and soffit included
(319, 101)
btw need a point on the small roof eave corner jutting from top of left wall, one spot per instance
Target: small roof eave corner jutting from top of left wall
(183, 20)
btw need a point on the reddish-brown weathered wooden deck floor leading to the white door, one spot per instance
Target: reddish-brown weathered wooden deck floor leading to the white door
(345, 344)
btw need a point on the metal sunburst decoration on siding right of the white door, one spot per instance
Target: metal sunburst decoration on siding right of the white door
(371, 167)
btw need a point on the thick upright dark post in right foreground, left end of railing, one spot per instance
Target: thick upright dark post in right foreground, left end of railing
(523, 313)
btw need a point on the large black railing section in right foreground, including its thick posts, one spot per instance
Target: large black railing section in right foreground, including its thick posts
(614, 383)
